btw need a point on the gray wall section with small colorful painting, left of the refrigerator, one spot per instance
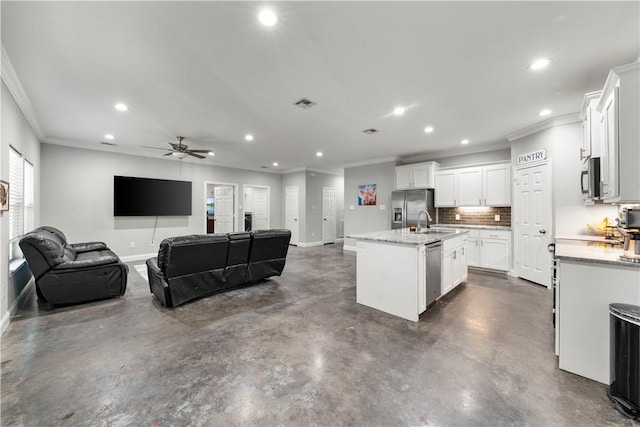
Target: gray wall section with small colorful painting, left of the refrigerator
(362, 219)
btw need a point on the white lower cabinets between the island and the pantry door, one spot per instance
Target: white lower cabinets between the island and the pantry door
(489, 249)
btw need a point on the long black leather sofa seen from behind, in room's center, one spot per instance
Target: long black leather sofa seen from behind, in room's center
(190, 267)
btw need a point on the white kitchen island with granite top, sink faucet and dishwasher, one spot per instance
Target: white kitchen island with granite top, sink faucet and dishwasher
(394, 272)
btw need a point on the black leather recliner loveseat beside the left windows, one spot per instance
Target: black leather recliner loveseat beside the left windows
(72, 273)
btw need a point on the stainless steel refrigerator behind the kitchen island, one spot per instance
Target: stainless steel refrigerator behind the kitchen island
(406, 204)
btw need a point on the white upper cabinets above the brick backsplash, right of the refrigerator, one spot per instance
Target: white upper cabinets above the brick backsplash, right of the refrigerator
(476, 186)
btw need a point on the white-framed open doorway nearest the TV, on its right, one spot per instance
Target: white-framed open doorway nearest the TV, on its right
(221, 205)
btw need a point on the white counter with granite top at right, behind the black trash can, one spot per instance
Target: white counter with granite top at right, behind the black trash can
(591, 276)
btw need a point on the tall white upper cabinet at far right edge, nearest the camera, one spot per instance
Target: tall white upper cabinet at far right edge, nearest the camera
(619, 107)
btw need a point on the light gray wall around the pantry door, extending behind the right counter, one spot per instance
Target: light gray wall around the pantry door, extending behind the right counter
(562, 145)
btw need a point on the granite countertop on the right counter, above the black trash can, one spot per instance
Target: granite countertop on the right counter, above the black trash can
(591, 251)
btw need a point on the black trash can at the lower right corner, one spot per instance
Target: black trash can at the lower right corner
(624, 391)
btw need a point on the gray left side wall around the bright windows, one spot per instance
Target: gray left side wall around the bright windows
(17, 133)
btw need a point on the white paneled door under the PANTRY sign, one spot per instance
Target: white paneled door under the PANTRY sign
(533, 224)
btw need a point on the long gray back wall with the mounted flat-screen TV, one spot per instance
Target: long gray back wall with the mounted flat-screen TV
(77, 196)
